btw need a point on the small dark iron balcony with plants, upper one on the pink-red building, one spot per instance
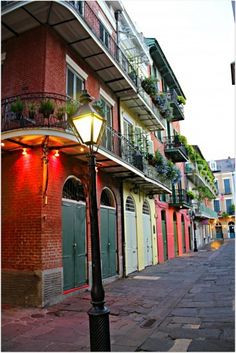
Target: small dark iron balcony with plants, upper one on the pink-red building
(174, 149)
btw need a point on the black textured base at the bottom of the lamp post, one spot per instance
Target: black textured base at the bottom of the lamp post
(99, 329)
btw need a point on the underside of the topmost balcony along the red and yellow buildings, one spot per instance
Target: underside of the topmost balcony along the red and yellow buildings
(76, 33)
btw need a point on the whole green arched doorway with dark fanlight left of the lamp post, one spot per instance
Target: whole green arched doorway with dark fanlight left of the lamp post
(74, 235)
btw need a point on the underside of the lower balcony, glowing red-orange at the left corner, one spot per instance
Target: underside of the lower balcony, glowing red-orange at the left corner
(68, 145)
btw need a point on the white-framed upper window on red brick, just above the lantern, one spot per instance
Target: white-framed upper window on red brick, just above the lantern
(74, 84)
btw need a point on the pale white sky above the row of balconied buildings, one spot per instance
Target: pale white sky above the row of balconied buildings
(198, 40)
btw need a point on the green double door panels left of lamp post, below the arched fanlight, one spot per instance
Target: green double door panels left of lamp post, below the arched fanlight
(74, 244)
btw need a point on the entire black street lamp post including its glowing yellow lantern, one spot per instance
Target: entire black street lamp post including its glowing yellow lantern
(88, 126)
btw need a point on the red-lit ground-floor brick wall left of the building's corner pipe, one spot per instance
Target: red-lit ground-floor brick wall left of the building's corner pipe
(21, 211)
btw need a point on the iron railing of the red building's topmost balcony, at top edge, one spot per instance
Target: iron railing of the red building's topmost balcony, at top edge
(87, 14)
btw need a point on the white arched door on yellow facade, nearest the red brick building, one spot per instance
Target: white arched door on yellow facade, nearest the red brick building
(131, 236)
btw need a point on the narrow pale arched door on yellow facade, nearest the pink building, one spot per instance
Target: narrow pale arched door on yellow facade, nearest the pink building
(147, 234)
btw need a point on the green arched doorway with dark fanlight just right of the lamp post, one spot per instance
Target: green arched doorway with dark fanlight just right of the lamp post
(108, 234)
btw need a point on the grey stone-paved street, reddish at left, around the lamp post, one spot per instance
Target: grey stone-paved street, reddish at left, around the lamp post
(185, 304)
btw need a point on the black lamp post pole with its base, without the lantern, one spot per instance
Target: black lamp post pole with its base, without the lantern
(98, 314)
